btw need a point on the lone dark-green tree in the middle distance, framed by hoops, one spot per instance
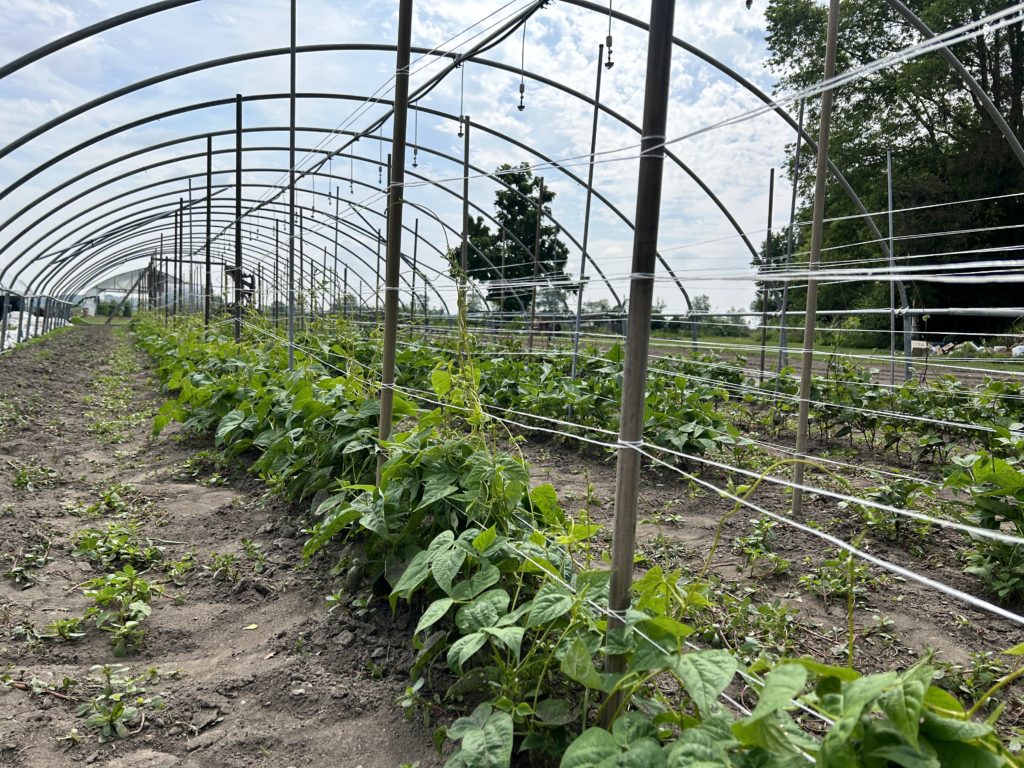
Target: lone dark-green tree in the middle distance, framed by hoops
(506, 259)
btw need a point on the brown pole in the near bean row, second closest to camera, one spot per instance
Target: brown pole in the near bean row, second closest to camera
(395, 209)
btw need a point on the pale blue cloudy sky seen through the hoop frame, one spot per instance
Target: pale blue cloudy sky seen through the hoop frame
(562, 44)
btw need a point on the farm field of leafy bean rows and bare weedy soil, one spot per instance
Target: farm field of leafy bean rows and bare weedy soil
(308, 598)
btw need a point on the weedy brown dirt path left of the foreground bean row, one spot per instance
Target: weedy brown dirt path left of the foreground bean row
(252, 668)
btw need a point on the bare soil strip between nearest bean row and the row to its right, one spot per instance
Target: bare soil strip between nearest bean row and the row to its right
(897, 622)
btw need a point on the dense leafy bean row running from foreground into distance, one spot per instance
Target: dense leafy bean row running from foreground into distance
(508, 594)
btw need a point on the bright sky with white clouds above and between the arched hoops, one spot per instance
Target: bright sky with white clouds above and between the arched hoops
(561, 44)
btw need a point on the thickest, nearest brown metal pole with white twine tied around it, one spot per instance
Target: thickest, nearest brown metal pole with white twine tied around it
(638, 339)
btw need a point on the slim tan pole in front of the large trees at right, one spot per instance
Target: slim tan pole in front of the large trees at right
(807, 360)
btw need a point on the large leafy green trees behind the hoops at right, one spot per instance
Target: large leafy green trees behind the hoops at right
(946, 149)
